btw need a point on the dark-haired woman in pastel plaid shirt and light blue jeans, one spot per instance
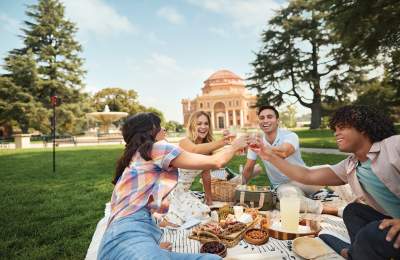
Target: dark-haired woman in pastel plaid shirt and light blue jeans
(145, 174)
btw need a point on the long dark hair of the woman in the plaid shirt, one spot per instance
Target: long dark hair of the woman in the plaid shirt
(139, 132)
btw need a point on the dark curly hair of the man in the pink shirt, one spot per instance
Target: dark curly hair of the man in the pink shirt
(374, 123)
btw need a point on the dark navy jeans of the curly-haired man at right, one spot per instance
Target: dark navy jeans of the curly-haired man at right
(367, 240)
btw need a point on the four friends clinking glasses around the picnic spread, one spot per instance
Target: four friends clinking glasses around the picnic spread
(153, 180)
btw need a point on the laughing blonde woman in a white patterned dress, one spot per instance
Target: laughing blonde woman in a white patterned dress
(183, 204)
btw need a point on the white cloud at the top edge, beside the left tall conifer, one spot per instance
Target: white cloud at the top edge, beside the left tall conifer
(97, 17)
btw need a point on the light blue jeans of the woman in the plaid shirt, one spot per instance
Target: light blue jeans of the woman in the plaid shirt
(137, 237)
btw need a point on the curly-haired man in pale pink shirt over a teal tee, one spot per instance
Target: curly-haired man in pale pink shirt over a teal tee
(373, 173)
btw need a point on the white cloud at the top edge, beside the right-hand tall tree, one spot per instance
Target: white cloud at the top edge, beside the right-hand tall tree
(247, 15)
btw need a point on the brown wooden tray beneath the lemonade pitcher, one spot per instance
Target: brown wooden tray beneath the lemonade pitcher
(314, 226)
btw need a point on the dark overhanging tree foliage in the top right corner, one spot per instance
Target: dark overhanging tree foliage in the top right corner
(368, 27)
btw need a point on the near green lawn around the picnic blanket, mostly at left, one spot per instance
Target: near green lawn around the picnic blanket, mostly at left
(53, 216)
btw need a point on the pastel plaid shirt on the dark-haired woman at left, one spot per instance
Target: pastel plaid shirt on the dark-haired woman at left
(146, 183)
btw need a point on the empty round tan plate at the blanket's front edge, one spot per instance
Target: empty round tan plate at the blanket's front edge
(309, 248)
